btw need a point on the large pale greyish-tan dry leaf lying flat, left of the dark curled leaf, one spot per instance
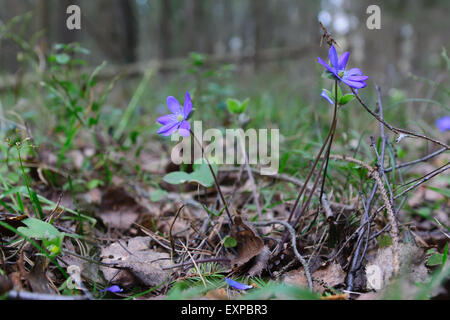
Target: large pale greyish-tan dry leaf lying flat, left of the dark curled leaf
(135, 260)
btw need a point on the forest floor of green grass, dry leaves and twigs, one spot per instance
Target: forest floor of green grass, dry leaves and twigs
(87, 210)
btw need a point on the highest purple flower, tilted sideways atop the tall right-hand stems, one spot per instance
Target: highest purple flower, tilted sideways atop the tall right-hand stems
(353, 78)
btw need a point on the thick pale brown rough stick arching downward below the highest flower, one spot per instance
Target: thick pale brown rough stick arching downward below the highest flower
(391, 216)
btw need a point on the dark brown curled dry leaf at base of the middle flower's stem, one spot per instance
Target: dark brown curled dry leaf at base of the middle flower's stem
(248, 245)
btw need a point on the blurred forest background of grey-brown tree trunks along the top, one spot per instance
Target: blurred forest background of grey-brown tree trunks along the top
(127, 31)
